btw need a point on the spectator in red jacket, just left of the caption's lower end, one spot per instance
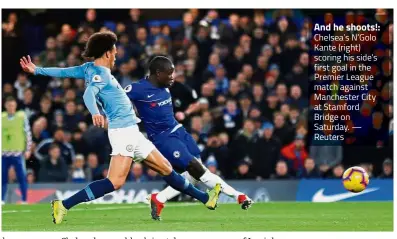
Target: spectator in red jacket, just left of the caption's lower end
(295, 153)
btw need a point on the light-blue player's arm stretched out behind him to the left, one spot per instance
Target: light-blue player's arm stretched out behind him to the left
(70, 72)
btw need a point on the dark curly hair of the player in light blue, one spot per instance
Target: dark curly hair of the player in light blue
(99, 43)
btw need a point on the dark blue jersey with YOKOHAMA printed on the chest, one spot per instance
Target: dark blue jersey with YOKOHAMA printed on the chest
(154, 106)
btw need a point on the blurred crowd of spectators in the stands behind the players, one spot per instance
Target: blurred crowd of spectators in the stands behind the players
(250, 72)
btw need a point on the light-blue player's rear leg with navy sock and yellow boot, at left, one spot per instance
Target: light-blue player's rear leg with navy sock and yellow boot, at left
(118, 170)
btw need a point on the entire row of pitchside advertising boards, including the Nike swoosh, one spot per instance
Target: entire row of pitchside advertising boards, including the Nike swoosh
(265, 191)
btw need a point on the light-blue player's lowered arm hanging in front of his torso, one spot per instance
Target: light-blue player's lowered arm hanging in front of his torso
(90, 102)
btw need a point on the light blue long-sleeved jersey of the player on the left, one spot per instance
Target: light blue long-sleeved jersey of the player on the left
(101, 88)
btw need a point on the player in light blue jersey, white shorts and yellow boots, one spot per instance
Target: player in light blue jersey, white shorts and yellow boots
(127, 142)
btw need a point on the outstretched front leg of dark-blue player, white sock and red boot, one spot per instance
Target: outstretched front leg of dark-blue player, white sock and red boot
(199, 172)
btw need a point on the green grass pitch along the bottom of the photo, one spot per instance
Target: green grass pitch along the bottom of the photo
(280, 216)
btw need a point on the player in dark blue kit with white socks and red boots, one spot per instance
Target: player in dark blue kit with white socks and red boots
(152, 99)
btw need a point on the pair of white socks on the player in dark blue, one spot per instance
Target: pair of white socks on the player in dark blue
(208, 178)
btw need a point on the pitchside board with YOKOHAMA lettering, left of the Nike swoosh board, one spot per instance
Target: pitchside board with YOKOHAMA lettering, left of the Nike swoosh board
(137, 192)
